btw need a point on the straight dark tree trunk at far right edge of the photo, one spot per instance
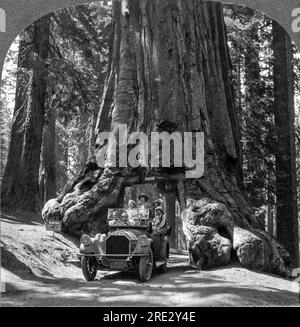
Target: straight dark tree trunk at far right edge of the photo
(284, 113)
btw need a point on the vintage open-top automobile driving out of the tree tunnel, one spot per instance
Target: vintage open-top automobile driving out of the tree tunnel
(129, 245)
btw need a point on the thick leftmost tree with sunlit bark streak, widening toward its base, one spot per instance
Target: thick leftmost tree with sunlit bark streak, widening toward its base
(20, 181)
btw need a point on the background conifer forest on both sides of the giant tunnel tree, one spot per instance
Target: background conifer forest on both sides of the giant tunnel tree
(75, 63)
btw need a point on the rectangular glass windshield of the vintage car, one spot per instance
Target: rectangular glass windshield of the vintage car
(128, 217)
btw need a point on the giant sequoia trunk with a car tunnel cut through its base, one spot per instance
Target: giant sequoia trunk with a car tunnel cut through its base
(169, 71)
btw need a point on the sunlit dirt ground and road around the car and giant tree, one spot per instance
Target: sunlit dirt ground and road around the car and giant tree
(39, 269)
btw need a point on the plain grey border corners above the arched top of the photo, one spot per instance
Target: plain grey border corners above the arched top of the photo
(21, 13)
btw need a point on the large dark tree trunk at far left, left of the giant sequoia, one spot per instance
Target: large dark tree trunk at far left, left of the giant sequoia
(24, 194)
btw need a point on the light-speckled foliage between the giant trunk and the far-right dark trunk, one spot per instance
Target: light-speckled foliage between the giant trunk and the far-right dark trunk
(249, 37)
